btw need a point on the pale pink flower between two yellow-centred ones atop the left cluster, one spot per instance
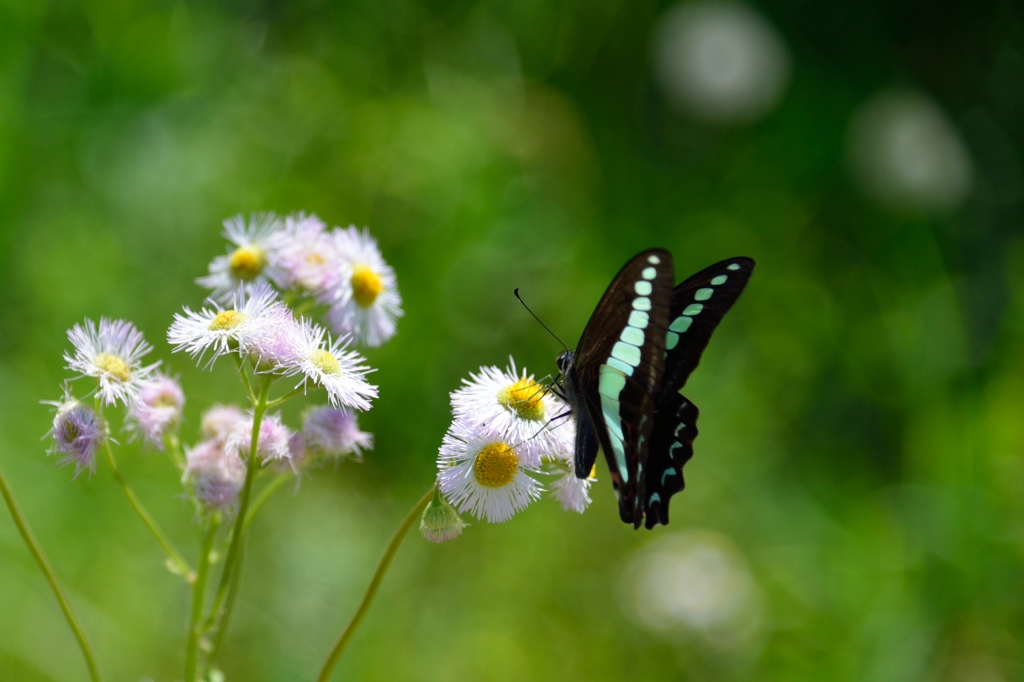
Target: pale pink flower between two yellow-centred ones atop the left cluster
(307, 255)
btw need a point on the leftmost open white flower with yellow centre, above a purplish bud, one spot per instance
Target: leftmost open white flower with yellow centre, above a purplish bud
(112, 355)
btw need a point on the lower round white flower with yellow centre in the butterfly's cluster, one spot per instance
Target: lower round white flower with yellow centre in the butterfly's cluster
(483, 475)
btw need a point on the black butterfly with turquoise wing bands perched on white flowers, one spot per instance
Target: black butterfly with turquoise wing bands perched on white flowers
(622, 383)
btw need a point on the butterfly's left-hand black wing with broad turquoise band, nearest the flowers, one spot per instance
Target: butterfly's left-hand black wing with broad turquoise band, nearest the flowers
(617, 375)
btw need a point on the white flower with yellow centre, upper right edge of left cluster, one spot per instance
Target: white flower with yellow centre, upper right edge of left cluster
(364, 299)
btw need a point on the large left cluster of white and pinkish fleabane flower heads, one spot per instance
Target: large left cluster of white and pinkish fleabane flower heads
(275, 268)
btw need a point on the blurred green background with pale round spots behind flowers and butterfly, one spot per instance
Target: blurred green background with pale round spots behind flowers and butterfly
(856, 509)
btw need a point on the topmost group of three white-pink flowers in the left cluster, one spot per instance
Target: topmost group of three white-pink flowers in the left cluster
(342, 269)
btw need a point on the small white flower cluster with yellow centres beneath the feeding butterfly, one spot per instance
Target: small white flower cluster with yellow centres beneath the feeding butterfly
(505, 435)
